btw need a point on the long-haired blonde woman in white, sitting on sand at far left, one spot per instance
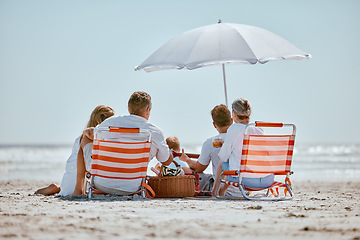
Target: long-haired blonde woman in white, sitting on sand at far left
(98, 115)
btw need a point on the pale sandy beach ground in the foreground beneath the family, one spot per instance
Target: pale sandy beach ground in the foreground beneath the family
(319, 211)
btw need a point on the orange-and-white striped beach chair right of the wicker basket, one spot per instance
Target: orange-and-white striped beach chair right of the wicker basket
(265, 154)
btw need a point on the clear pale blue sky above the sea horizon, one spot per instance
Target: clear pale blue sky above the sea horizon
(60, 59)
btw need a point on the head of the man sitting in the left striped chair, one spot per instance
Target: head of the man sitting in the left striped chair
(140, 104)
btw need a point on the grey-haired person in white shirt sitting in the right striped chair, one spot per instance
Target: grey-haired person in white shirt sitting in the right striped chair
(231, 150)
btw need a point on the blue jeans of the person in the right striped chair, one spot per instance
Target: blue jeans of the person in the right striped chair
(262, 182)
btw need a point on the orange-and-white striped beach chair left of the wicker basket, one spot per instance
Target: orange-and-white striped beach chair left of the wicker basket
(120, 153)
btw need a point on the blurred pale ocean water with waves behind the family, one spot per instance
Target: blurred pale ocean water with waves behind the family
(320, 162)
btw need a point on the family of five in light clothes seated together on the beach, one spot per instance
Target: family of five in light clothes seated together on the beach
(226, 155)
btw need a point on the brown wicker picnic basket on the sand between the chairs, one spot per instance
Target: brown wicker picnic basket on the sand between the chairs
(172, 186)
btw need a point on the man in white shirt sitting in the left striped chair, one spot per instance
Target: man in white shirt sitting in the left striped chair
(139, 107)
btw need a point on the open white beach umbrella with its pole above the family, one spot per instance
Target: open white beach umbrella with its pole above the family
(220, 44)
